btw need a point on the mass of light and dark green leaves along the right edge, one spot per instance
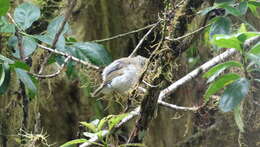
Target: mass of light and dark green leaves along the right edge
(235, 87)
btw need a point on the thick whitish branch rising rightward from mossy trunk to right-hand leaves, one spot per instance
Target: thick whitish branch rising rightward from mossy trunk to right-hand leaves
(169, 90)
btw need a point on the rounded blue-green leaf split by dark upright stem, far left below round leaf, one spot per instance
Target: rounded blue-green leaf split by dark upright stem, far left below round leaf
(29, 46)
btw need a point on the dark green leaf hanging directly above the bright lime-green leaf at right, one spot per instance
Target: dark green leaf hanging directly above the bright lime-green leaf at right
(222, 25)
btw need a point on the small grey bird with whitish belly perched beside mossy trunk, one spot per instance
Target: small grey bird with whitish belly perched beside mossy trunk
(121, 75)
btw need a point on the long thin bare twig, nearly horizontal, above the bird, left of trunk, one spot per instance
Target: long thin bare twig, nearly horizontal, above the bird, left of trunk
(124, 34)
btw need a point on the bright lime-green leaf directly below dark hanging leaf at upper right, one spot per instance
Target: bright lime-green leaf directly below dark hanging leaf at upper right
(226, 41)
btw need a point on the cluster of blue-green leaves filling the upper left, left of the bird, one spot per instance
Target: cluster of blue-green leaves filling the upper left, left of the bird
(24, 16)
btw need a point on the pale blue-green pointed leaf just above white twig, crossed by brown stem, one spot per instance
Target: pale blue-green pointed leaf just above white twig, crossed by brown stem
(48, 39)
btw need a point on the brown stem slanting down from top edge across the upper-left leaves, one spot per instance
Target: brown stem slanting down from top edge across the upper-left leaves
(59, 32)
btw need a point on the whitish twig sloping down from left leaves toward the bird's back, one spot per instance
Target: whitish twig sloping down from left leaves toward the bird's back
(68, 55)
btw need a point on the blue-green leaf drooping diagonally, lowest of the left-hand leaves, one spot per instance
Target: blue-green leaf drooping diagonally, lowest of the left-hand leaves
(26, 79)
